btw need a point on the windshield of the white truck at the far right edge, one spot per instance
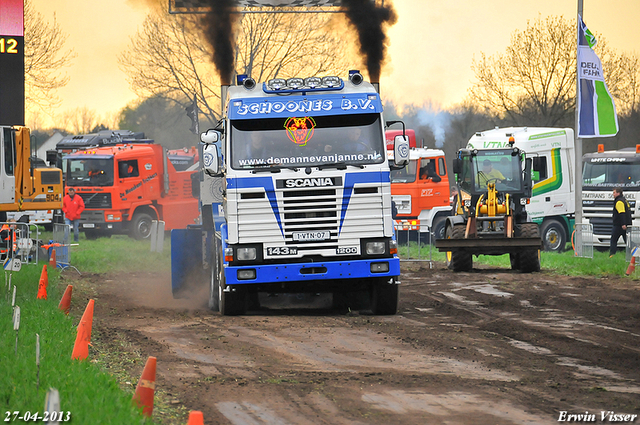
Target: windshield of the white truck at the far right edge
(610, 175)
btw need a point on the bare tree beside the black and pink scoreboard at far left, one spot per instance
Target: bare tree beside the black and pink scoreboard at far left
(44, 59)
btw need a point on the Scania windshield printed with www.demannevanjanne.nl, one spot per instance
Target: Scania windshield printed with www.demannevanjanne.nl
(307, 141)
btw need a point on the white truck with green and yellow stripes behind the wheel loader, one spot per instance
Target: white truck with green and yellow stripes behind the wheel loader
(552, 150)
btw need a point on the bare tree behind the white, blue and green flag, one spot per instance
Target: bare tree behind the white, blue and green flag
(534, 81)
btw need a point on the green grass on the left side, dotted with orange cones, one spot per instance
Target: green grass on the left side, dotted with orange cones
(87, 392)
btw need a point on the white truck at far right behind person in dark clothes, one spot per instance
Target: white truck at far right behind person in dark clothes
(602, 171)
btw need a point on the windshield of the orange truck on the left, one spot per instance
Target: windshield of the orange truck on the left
(89, 171)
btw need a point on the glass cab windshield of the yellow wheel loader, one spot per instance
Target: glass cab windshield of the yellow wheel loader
(495, 166)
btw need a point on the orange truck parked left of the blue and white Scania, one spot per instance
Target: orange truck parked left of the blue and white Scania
(126, 186)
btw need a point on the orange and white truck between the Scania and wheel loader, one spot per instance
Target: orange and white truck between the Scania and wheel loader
(420, 191)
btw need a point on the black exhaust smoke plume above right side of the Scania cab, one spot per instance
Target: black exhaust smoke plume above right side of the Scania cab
(370, 21)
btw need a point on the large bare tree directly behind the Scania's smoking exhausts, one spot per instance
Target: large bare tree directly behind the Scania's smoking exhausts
(170, 58)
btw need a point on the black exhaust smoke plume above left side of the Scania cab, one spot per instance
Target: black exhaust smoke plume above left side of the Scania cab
(218, 24)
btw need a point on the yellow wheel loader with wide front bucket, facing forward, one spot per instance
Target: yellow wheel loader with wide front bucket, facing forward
(489, 216)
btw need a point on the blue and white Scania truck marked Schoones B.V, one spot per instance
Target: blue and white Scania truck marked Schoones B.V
(295, 196)
